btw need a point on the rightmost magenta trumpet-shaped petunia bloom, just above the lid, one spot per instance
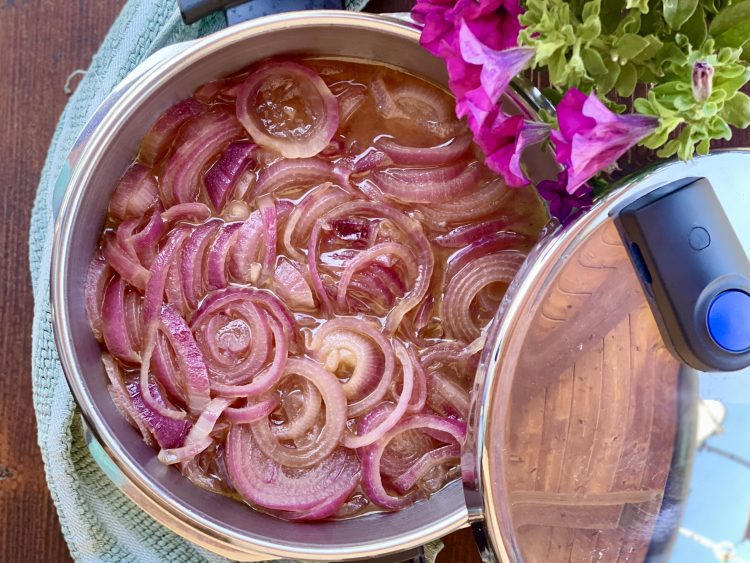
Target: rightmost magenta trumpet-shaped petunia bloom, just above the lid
(591, 137)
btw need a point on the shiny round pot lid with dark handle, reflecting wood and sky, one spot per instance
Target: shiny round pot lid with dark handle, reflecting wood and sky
(611, 417)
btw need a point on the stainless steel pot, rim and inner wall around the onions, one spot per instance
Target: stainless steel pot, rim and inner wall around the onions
(104, 151)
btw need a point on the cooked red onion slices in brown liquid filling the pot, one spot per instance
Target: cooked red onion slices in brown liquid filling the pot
(284, 306)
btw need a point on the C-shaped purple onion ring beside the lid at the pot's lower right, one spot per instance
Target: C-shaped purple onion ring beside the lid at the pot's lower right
(372, 482)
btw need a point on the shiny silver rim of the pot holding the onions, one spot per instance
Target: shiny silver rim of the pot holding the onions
(171, 508)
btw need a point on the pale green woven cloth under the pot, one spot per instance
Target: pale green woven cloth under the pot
(98, 521)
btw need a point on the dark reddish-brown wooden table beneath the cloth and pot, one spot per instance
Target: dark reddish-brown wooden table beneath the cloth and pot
(41, 43)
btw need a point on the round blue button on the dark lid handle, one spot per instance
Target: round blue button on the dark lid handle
(729, 320)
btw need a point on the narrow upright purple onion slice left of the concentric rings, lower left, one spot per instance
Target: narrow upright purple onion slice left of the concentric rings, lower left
(189, 358)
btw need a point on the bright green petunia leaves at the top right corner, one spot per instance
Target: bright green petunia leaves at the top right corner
(611, 46)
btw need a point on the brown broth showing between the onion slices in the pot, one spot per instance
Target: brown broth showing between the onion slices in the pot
(524, 210)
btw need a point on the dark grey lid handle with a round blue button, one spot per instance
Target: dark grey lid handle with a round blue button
(694, 271)
